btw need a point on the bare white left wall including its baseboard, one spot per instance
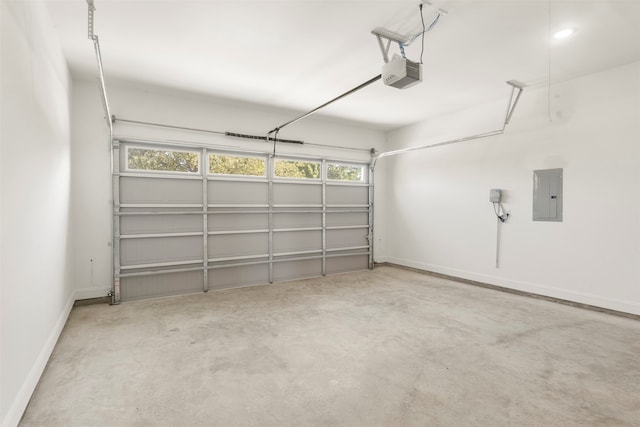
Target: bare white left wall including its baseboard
(35, 287)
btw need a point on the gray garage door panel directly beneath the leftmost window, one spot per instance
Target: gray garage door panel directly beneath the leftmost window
(159, 190)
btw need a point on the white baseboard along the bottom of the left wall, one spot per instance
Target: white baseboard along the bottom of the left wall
(19, 405)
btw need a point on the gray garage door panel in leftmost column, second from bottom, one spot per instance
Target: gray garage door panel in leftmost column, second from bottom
(162, 249)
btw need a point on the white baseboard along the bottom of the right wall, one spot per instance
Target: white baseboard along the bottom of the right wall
(533, 288)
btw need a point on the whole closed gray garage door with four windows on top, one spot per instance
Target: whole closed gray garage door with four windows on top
(195, 219)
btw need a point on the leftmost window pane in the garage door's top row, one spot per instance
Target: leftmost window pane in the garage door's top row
(162, 160)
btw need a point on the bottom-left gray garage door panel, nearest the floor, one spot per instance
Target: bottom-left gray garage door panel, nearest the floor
(160, 285)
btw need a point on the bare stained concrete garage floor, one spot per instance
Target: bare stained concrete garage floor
(387, 347)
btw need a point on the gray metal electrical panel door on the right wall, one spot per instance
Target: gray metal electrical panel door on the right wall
(547, 195)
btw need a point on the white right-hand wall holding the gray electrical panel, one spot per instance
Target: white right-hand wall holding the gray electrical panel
(439, 217)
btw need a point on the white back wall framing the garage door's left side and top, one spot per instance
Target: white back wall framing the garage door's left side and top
(91, 157)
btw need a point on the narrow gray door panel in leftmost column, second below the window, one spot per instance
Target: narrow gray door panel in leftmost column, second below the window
(147, 224)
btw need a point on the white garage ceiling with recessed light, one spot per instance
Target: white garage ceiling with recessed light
(298, 54)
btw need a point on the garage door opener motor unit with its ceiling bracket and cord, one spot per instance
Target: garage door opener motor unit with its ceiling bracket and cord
(401, 72)
